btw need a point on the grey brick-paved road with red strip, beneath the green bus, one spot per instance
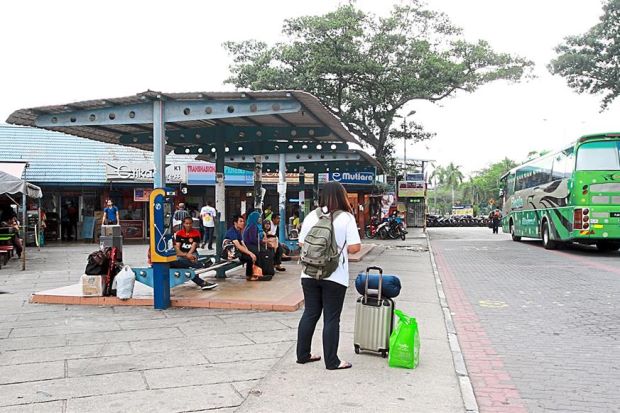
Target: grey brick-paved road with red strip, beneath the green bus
(539, 329)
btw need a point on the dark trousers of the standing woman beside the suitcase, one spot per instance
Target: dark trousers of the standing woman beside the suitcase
(326, 297)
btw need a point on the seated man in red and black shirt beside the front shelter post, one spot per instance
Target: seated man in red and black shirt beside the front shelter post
(185, 243)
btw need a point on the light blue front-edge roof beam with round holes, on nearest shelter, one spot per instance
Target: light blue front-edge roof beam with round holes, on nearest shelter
(175, 111)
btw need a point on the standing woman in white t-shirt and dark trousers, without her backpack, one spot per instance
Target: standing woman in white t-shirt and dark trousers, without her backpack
(326, 296)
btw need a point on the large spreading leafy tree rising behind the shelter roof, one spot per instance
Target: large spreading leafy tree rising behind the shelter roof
(365, 68)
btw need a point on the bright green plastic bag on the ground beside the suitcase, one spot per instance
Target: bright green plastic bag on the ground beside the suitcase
(404, 342)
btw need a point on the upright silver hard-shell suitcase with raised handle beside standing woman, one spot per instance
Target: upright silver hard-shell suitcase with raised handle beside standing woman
(374, 319)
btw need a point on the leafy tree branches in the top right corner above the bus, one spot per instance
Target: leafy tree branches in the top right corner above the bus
(590, 62)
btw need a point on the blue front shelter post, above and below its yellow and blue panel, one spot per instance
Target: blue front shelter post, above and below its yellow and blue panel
(161, 280)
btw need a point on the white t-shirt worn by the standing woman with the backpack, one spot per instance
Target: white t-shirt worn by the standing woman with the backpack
(345, 229)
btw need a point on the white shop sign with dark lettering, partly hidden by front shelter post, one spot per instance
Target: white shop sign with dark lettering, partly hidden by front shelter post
(143, 172)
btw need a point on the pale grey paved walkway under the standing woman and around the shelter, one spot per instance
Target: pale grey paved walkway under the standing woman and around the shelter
(64, 358)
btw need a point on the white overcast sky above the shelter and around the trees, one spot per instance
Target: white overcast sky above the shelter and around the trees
(56, 52)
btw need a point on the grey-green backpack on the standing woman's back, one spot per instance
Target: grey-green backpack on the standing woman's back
(320, 256)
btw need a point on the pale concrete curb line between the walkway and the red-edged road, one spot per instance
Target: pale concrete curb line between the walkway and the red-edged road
(467, 391)
